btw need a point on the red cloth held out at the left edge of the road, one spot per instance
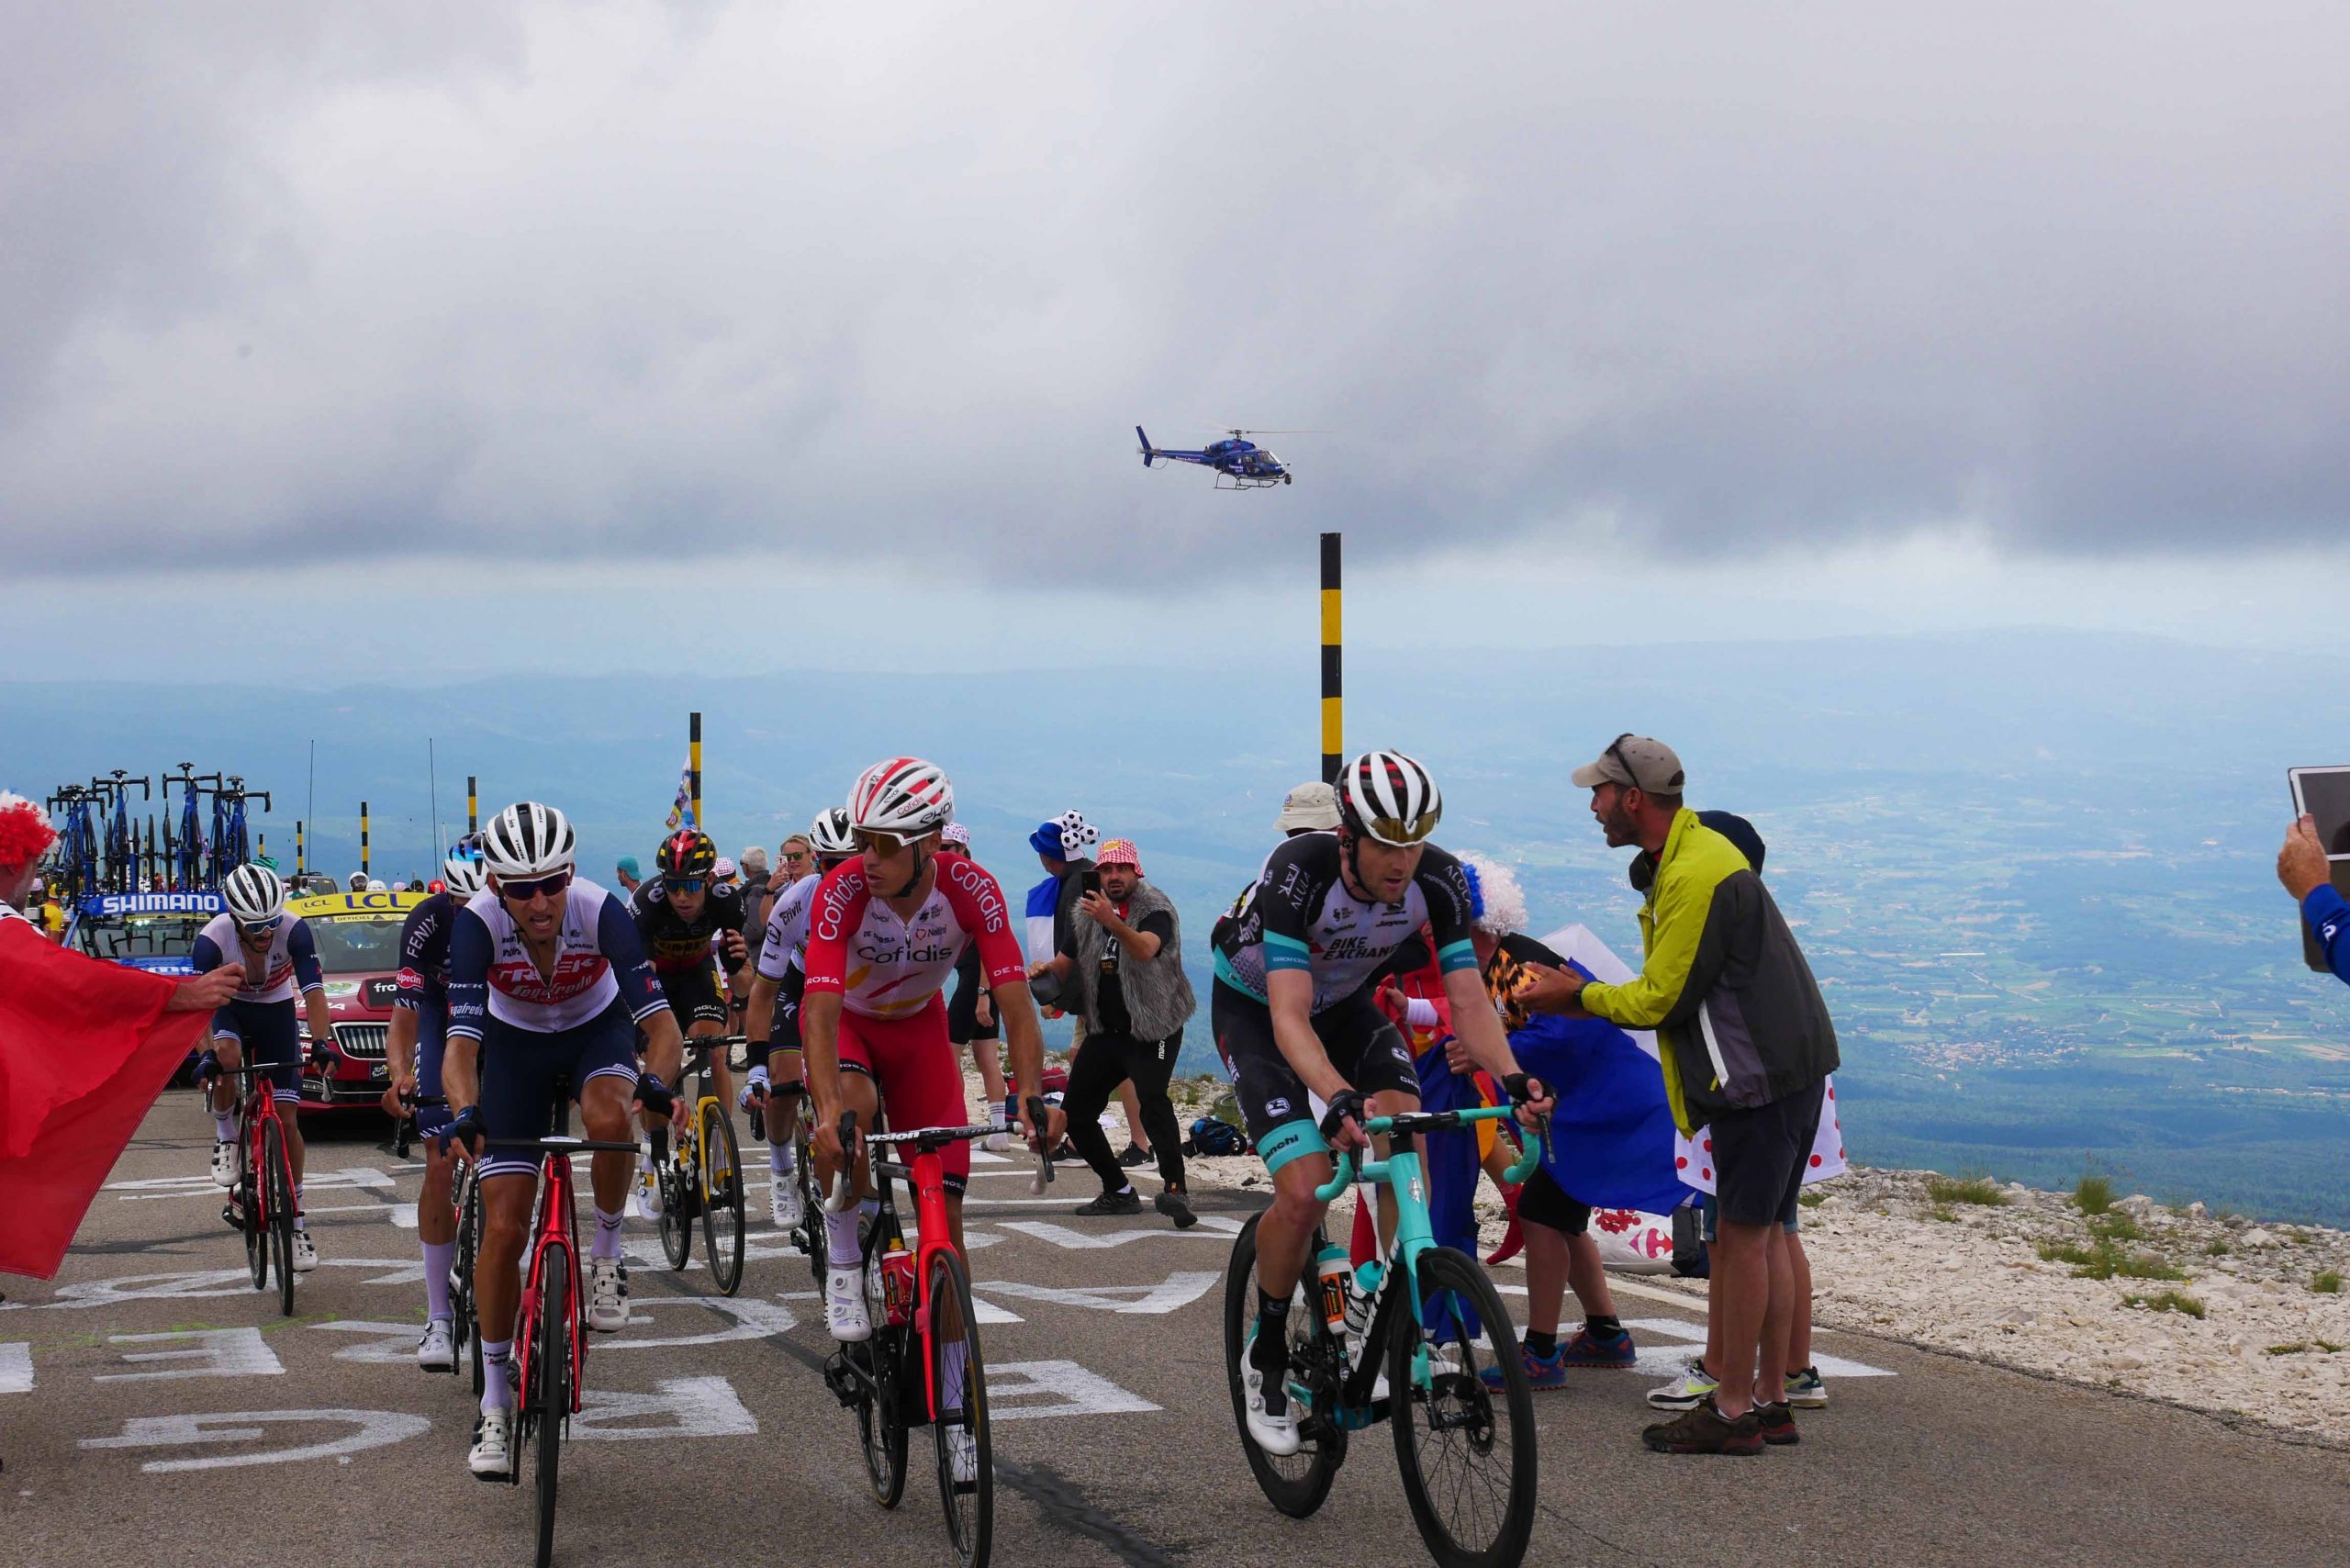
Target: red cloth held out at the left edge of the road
(86, 1047)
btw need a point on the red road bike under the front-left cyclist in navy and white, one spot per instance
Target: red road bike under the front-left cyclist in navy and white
(551, 1325)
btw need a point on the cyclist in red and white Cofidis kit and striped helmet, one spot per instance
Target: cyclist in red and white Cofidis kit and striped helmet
(882, 942)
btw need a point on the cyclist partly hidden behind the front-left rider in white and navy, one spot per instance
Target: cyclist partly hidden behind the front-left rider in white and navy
(415, 1047)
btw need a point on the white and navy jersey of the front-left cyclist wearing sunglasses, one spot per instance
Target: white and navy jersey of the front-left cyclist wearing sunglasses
(598, 958)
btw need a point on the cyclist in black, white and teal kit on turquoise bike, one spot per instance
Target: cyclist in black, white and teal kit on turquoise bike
(1296, 1021)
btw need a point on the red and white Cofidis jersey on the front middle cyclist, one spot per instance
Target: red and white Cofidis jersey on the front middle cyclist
(887, 967)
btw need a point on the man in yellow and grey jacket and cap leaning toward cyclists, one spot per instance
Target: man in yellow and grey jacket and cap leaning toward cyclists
(1747, 1047)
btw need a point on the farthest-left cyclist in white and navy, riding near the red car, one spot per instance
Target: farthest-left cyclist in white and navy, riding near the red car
(278, 958)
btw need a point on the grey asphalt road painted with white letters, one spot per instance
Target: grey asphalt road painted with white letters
(156, 1409)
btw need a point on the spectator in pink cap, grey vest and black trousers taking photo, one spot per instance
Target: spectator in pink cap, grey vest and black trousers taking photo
(1127, 984)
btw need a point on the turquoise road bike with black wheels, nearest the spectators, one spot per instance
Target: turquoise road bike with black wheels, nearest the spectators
(1402, 1341)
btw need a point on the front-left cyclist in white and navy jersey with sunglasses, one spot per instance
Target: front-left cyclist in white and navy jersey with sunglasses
(546, 981)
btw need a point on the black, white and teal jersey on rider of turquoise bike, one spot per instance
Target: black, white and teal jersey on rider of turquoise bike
(1303, 918)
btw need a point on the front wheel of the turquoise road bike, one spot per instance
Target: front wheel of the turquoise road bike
(1468, 1454)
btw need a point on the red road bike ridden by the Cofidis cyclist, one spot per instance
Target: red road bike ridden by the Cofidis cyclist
(922, 1362)
